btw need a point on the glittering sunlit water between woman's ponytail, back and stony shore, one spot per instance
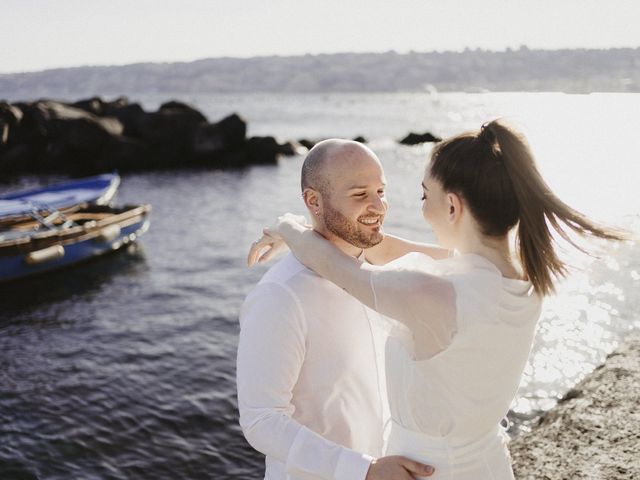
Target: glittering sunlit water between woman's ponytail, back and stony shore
(591, 313)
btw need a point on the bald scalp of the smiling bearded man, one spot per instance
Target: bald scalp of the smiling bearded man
(323, 157)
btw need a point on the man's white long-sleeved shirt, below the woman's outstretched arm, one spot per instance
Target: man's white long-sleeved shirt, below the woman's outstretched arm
(310, 376)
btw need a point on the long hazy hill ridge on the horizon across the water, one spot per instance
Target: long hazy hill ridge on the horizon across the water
(573, 71)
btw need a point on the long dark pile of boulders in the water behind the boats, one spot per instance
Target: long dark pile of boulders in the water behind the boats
(94, 135)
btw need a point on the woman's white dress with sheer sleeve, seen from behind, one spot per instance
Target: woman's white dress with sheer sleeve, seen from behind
(456, 350)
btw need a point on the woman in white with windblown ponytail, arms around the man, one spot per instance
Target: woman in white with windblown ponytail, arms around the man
(462, 326)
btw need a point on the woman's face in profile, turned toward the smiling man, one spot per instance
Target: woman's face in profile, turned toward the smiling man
(436, 209)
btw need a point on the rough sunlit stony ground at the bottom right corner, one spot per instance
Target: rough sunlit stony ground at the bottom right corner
(593, 432)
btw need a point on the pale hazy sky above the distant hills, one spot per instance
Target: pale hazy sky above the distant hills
(39, 34)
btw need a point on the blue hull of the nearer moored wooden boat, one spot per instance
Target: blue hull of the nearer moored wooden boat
(18, 266)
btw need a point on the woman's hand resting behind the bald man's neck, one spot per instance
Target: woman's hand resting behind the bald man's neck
(273, 240)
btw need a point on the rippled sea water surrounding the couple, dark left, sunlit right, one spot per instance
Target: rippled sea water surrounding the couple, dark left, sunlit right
(124, 367)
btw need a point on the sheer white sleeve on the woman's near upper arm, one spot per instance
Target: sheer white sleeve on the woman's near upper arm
(410, 291)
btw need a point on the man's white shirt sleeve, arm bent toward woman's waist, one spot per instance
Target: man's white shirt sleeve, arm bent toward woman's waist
(271, 352)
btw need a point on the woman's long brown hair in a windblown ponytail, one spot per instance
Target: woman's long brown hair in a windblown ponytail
(494, 171)
